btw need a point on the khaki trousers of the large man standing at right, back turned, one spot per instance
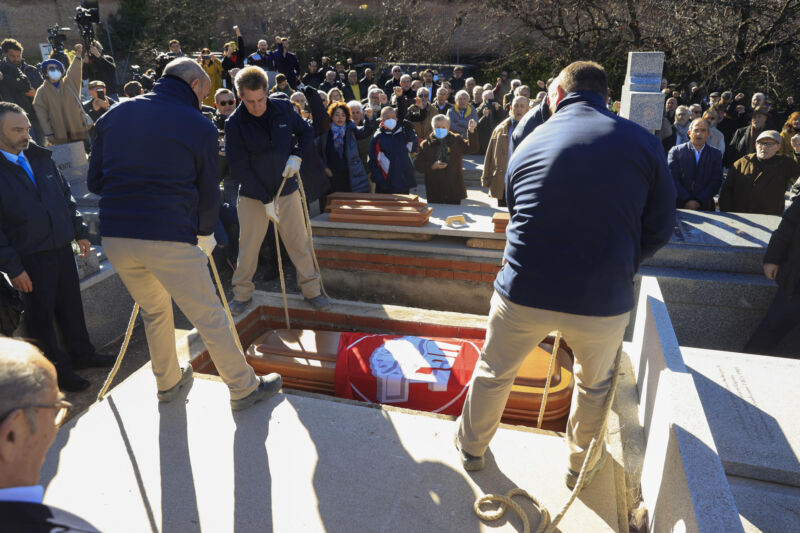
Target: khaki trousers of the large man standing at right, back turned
(513, 331)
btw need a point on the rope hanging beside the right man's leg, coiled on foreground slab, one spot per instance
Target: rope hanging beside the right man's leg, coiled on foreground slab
(544, 524)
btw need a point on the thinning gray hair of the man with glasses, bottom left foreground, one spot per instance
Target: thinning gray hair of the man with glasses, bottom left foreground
(21, 381)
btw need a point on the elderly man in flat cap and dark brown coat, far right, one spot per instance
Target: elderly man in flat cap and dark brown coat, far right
(757, 182)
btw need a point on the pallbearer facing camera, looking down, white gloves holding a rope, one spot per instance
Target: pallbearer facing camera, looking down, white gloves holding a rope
(264, 141)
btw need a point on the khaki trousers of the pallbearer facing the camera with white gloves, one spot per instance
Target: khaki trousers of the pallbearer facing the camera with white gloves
(253, 224)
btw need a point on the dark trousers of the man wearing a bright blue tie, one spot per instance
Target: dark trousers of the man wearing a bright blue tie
(56, 295)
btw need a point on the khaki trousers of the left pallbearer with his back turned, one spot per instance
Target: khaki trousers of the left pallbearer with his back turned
(155, 272)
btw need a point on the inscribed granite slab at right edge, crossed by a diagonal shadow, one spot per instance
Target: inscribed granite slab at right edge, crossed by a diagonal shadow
(748, 402)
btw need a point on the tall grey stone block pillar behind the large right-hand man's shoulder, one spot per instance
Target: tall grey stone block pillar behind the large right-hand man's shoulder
(642, 100)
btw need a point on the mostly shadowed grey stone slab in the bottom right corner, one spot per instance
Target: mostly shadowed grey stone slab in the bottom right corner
(766, 506)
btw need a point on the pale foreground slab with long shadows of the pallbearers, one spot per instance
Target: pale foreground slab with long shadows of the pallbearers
(294, 463)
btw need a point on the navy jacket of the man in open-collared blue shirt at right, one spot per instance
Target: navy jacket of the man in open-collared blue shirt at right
(696, 181)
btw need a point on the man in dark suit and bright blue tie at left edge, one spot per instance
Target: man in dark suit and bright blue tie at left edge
(38, 222)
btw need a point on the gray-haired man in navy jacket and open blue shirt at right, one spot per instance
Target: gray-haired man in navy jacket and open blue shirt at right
(696, 168)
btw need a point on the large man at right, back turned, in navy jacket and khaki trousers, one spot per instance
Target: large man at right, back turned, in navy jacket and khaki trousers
(590, 196)
